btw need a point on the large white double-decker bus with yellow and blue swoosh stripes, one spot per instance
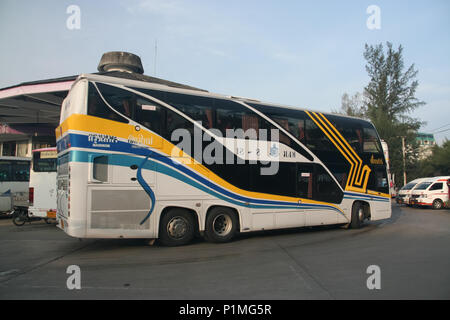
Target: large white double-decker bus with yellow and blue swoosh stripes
(145, 160)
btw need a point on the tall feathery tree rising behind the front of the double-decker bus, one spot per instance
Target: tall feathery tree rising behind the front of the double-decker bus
(389, 100)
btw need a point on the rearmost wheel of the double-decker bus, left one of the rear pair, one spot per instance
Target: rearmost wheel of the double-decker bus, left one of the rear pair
(176, 228)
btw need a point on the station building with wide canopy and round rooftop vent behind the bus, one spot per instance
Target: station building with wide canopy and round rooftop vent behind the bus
(29, 112)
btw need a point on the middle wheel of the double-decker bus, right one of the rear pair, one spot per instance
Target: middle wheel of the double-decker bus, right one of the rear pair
(221, 225)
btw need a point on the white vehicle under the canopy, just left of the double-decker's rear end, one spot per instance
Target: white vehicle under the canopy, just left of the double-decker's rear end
(42, 191)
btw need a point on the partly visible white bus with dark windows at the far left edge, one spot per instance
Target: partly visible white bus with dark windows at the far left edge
(14, 179)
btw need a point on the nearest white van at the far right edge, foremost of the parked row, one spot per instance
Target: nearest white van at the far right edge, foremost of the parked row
(433, 193)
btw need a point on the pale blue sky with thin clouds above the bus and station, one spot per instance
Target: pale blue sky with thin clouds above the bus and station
(305, 54)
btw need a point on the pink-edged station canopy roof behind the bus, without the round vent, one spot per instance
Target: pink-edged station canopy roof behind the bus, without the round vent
(39, 102)
